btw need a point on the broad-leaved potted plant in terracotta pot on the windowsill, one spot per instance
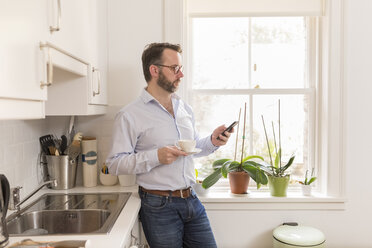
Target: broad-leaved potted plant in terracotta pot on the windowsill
(239, 172)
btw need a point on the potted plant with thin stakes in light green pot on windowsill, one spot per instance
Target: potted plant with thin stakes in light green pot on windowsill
(276, 172)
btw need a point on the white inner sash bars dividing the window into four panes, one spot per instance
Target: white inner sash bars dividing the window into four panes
(312, 28)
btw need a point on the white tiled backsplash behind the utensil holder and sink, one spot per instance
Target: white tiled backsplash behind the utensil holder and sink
(19, 144)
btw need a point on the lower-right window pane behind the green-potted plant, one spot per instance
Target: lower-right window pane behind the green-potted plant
(294, 132)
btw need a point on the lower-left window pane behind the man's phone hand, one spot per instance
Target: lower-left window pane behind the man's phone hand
(213, 111)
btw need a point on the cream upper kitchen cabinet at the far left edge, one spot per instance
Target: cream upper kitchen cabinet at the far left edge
(23, 24)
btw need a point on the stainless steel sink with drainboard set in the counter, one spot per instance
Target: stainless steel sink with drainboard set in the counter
(68, 214)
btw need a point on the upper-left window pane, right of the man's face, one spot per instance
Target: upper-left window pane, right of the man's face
(219, 53)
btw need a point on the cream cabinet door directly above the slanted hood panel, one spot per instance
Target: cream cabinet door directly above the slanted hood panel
(74, 26)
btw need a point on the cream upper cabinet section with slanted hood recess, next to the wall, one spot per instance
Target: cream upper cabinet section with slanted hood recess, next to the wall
(78, 30)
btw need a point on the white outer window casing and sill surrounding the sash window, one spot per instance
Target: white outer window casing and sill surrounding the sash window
(329, 128)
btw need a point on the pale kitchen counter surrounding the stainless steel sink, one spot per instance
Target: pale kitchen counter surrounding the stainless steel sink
(120, 231)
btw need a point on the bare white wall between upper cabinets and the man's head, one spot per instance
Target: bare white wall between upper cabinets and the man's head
(131, 26)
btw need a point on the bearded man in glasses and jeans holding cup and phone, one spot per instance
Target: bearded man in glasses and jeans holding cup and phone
(144, 137)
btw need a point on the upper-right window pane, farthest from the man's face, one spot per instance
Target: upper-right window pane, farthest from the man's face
(278, 52)
